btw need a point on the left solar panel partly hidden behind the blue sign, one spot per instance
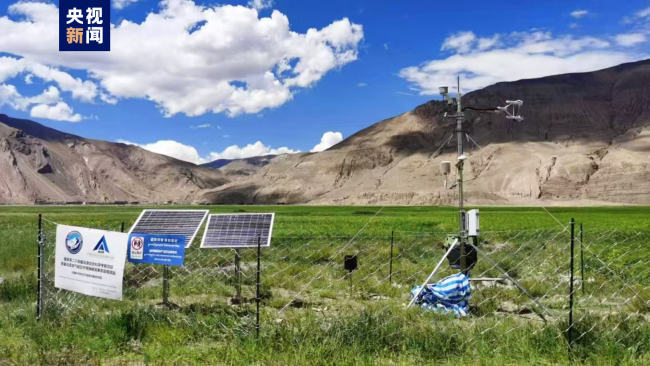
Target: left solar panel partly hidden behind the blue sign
(178, 222)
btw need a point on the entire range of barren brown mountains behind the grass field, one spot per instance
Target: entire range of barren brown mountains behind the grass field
(585, 140)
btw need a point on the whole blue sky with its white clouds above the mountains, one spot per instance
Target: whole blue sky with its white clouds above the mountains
(267, 83)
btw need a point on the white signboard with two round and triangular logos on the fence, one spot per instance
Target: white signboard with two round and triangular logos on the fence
(90, 261)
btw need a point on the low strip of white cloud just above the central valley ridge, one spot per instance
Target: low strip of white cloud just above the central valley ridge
(190, 154)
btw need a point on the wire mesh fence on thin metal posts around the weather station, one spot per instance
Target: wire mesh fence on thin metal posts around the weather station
(578, 289)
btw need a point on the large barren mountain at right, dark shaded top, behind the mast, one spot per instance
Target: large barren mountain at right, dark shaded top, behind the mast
(585, 140)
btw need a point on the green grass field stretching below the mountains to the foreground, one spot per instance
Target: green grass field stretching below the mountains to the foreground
(328, 321)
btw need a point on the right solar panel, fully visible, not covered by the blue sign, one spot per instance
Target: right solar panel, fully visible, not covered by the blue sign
(238, 230)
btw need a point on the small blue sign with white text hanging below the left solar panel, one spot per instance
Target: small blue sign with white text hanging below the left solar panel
(157, 249)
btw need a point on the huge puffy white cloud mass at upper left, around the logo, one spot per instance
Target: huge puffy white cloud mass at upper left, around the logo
(220, 59)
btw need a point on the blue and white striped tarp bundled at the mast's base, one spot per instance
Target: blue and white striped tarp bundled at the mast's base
(451, 294)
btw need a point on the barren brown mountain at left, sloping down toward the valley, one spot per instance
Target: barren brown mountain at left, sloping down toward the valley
(40, 164)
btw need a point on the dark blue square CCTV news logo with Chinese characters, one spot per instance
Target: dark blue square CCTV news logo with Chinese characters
(84, 25)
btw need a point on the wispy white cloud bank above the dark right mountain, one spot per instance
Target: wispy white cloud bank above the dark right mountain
(519, 56)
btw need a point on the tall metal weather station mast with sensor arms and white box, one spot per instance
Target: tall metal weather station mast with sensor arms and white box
(459, 115)
